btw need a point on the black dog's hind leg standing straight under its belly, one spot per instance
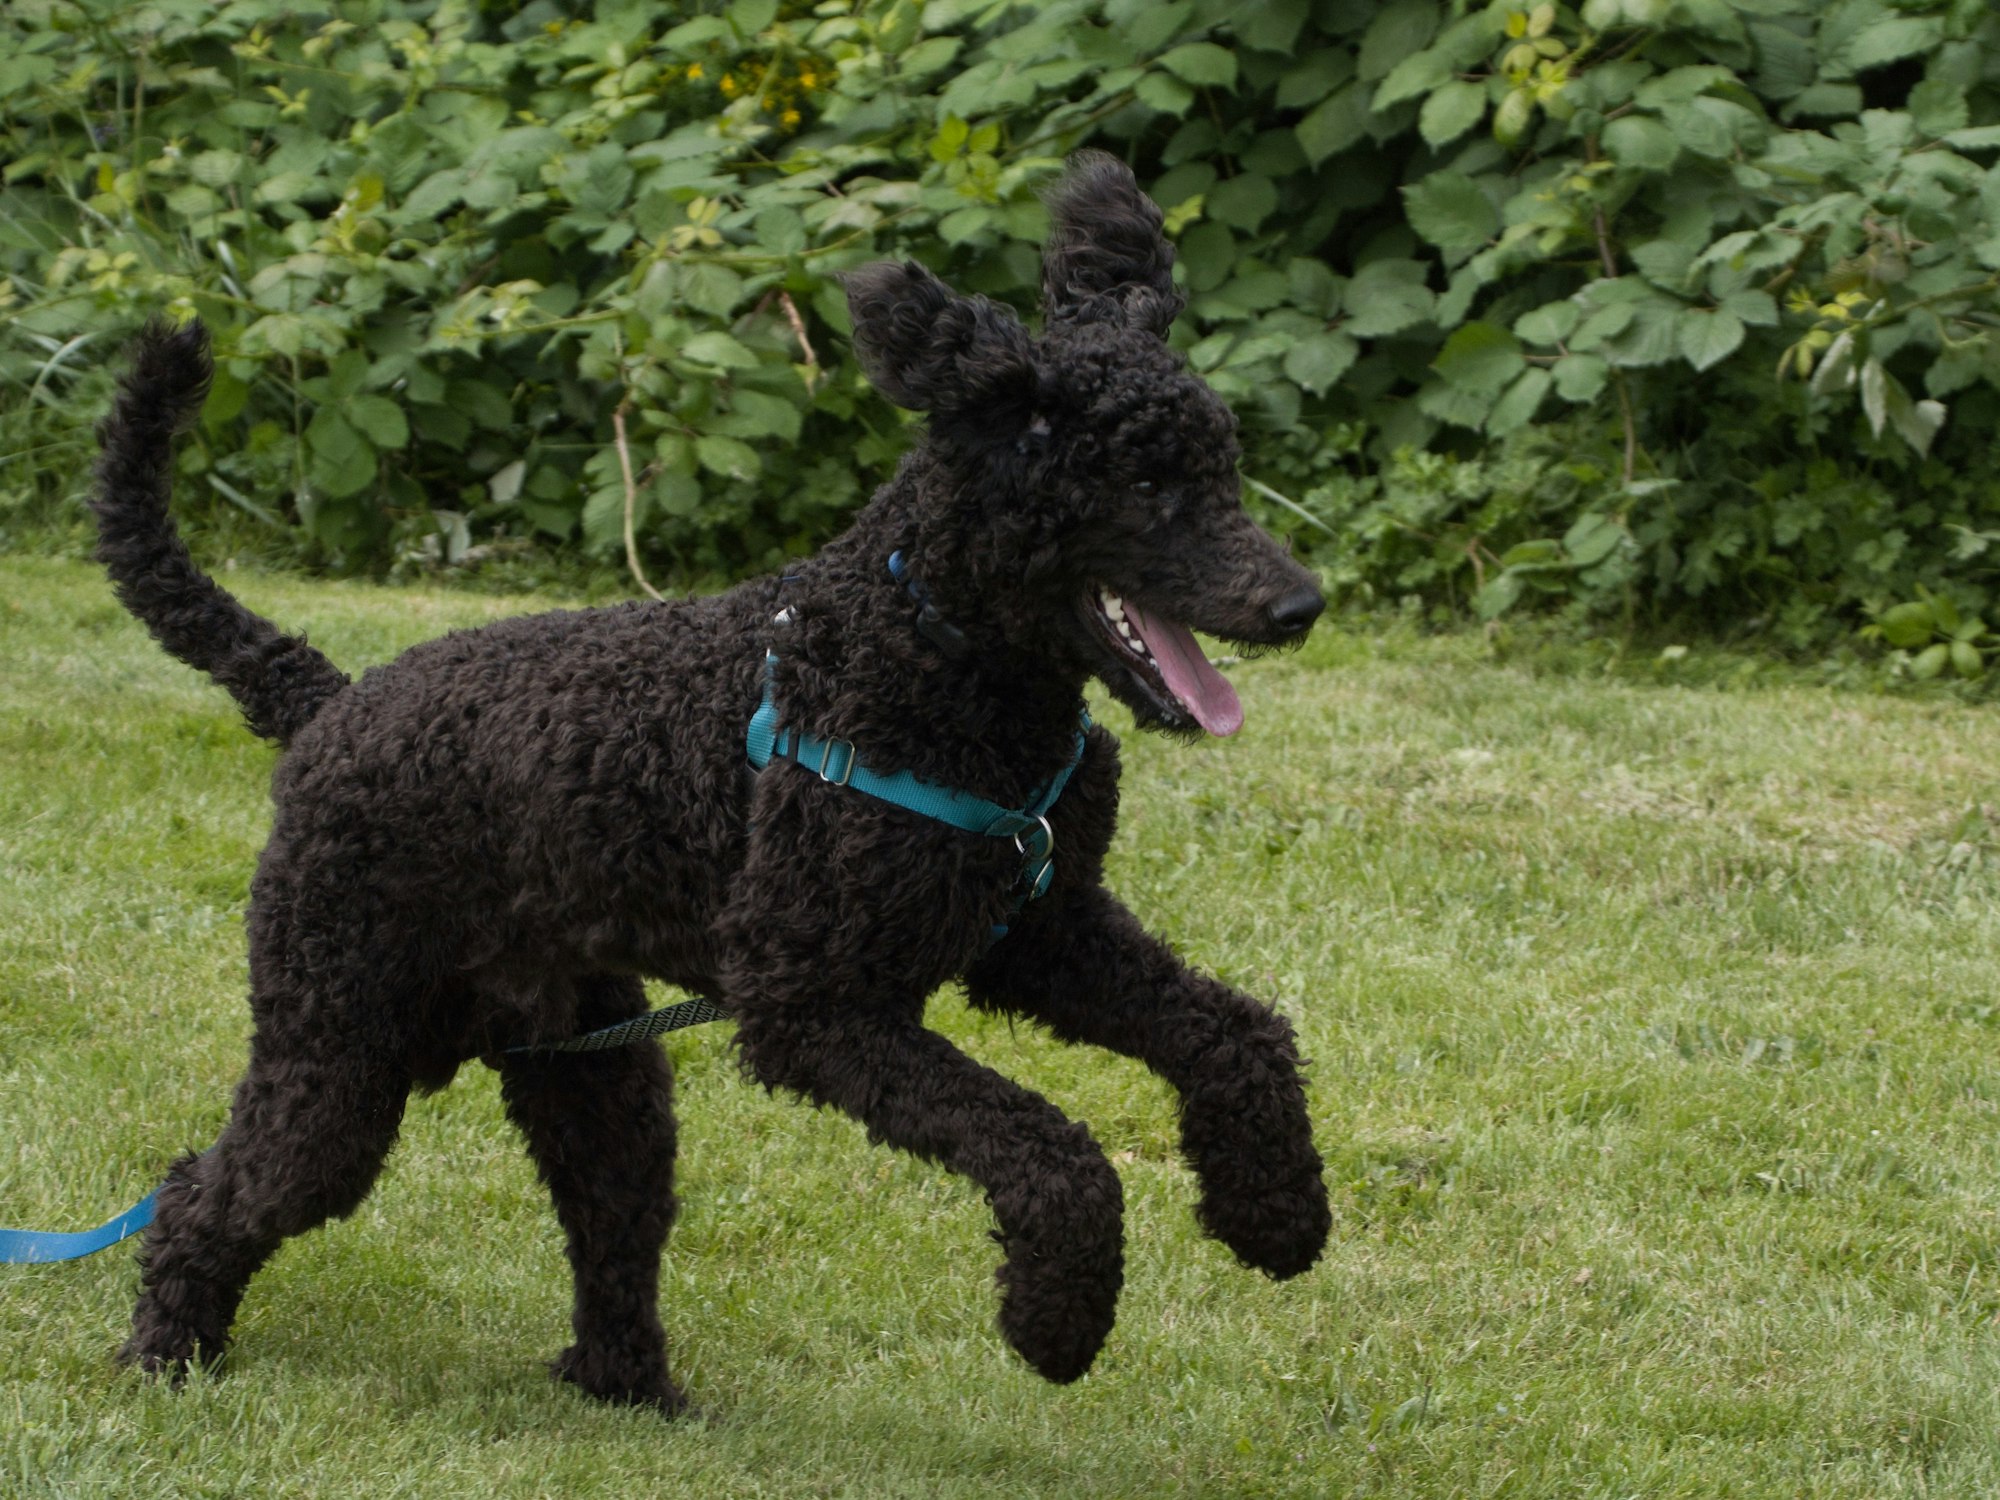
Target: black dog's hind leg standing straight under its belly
(601, 1129)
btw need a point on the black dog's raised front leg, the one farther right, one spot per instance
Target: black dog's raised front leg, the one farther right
(1081, 965)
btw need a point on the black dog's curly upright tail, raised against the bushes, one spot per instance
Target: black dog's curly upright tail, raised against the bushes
(279, 681)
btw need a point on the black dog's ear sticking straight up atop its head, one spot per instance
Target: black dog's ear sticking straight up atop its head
(1107, 257)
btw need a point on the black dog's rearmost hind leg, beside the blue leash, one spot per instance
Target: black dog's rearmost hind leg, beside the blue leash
(307, 1137)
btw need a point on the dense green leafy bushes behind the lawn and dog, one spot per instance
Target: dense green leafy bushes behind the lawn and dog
(1643, 305)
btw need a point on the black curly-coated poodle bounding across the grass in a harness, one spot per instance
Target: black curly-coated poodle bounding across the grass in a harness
(813, 799)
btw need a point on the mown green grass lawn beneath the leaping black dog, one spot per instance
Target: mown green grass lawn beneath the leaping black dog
(1653, 1039)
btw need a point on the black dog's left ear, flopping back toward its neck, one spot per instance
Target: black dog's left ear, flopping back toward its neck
(935, 351)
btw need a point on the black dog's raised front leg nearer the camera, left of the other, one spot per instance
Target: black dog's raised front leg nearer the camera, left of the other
(1057, 1199)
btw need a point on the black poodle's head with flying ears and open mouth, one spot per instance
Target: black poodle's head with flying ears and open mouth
(1095, 497)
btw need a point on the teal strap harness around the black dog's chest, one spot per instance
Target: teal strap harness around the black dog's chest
(839, 765)
